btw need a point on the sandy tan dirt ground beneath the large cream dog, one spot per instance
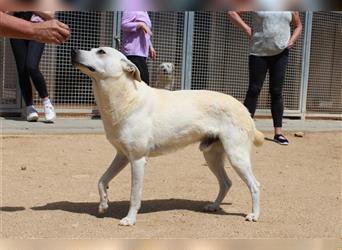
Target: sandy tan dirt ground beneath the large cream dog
(49, 190)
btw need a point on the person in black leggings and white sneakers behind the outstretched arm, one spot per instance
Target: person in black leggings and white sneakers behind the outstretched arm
(27, 54)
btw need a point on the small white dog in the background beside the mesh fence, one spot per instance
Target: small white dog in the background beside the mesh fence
(165, 76)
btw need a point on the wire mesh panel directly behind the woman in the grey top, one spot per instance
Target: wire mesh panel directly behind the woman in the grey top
(220, 60)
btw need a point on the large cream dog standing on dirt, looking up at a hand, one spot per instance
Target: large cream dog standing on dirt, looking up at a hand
(141, 121)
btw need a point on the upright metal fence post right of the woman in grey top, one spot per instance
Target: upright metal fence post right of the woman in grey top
(305, 63)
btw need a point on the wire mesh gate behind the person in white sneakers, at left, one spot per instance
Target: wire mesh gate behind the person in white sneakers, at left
(69, 89)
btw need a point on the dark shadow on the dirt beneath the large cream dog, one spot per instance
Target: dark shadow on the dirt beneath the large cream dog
(119, 209)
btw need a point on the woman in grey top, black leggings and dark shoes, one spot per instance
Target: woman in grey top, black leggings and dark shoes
(270, 40)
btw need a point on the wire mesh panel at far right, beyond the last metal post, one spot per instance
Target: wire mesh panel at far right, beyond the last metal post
(325, 72)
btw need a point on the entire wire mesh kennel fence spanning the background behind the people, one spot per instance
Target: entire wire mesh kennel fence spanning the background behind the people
(218, 56)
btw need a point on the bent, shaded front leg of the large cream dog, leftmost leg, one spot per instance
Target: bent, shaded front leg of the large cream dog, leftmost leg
(119, 162)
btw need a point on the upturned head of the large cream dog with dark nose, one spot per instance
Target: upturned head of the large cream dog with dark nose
(104, 62)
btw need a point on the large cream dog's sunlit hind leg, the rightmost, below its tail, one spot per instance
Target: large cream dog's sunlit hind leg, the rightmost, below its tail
(238, 151)
